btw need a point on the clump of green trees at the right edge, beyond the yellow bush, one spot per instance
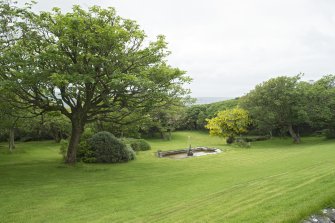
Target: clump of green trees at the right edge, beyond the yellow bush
(288, 105)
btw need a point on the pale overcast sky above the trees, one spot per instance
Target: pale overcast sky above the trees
(228, 46)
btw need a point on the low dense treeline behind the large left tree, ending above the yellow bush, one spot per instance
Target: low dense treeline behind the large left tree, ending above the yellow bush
(158, 123)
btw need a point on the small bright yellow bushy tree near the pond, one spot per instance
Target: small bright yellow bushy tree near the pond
(229, 123)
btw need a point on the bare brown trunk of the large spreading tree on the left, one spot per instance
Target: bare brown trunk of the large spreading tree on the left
(77, 130)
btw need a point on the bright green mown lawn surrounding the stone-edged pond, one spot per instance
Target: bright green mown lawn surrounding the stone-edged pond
(274, 181)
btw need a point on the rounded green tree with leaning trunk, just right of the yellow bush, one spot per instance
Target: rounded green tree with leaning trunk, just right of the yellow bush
(277, 104)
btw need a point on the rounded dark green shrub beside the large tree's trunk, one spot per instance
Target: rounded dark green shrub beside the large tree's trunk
(108, 149)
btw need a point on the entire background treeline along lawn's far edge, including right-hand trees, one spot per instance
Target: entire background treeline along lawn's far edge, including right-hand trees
(278, 107)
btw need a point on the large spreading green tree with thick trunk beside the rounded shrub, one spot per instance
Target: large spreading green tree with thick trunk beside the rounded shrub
(86, 64)
